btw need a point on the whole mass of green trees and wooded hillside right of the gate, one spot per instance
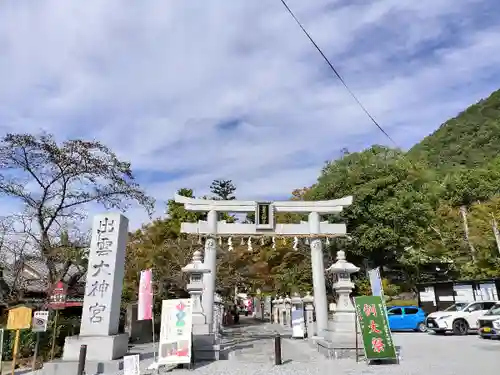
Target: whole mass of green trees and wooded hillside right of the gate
(429, 213)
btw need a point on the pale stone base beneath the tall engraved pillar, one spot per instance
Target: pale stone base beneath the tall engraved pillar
(99, 348)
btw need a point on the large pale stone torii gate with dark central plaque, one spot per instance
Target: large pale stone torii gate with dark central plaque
(265, 225)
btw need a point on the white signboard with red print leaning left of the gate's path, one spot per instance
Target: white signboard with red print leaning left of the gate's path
(175, 332)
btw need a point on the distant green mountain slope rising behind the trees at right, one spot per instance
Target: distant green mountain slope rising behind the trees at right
(471, 139)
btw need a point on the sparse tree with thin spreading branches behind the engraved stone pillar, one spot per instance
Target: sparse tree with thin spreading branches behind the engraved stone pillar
(55, 182)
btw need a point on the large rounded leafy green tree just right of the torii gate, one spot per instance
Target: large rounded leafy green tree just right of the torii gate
(394, 201)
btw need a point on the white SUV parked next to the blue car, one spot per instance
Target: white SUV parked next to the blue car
(459, 318)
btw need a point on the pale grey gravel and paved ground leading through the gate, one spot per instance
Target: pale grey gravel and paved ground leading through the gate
(252, 351)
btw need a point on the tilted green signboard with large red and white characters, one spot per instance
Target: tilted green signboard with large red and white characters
(374, 326)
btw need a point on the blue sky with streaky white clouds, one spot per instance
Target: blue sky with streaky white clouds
(192, 91)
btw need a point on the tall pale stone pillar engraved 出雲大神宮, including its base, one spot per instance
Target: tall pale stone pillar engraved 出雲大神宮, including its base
(104, 282)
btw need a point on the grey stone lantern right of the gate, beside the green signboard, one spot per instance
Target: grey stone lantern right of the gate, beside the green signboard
(344, 318)
